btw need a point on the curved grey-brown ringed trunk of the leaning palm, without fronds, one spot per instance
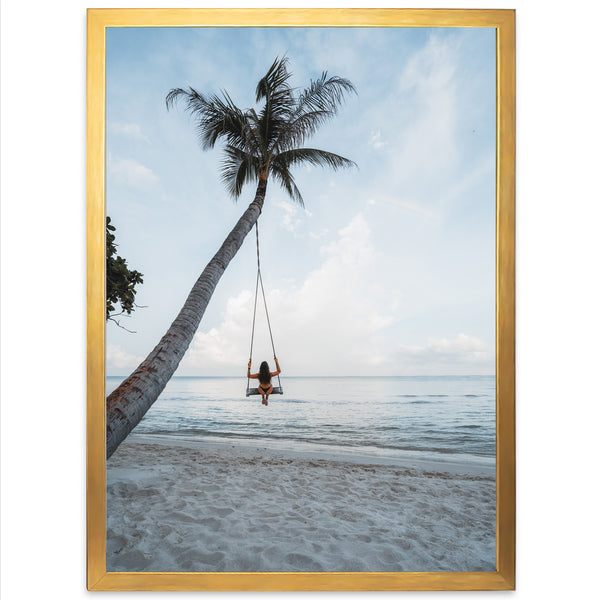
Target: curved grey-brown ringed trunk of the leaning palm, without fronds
(126, 406)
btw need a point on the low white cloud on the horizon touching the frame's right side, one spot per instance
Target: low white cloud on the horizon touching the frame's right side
(464, 354)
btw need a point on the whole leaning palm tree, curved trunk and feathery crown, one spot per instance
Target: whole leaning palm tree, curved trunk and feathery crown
(257, 145)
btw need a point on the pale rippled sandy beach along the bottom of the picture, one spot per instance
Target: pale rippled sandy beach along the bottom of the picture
(178, 505)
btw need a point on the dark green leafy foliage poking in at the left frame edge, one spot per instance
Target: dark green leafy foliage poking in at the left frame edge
(120, 280)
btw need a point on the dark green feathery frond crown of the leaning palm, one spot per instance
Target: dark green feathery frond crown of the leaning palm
(268, 142)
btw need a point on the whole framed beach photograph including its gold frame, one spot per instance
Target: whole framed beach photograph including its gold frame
(300, 369)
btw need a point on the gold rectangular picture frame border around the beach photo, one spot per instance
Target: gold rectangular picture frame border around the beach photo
(503, 578)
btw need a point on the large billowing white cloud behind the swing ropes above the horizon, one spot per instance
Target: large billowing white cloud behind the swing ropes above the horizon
(329, 324)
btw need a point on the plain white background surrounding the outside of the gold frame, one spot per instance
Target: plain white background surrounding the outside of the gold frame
(43, 297)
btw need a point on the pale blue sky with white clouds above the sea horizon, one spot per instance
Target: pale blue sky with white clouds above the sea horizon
(389, 270)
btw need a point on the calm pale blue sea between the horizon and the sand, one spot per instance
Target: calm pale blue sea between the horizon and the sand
(426, 417)
